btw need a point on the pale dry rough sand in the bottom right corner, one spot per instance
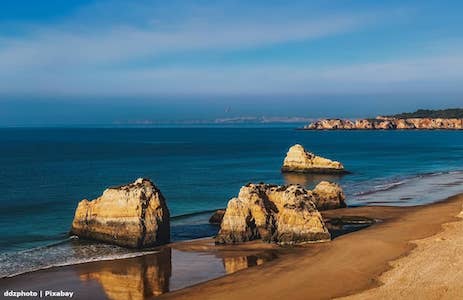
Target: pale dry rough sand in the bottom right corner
(433, 270)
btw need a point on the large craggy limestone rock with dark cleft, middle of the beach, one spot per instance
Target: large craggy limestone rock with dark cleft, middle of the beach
(280, 214)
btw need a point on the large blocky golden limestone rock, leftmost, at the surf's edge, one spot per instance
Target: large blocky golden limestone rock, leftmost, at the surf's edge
(133, 215)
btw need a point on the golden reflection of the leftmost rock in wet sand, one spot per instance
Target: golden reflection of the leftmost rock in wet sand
(144, 277)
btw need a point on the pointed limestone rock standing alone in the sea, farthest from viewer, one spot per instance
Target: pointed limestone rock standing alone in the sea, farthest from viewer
(299, 160)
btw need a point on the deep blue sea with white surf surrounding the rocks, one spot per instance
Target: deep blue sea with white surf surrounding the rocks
(45, 172)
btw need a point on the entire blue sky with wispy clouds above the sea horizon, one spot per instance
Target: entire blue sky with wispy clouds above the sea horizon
(95, 62)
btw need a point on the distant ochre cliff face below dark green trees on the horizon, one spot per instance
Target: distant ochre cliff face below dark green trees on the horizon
(387, 123)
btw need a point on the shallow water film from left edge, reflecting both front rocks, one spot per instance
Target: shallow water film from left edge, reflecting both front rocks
(143, 276)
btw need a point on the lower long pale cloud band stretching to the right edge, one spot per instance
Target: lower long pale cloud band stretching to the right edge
(424, 74)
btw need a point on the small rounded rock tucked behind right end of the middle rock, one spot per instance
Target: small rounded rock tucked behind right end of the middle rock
(328, 195)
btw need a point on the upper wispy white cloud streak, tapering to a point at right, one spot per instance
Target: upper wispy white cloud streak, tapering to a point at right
(55, 48)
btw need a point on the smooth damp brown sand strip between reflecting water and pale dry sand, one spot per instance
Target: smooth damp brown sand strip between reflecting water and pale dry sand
(321, 267)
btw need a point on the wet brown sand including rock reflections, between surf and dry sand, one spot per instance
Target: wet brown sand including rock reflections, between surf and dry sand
(347, 265)
